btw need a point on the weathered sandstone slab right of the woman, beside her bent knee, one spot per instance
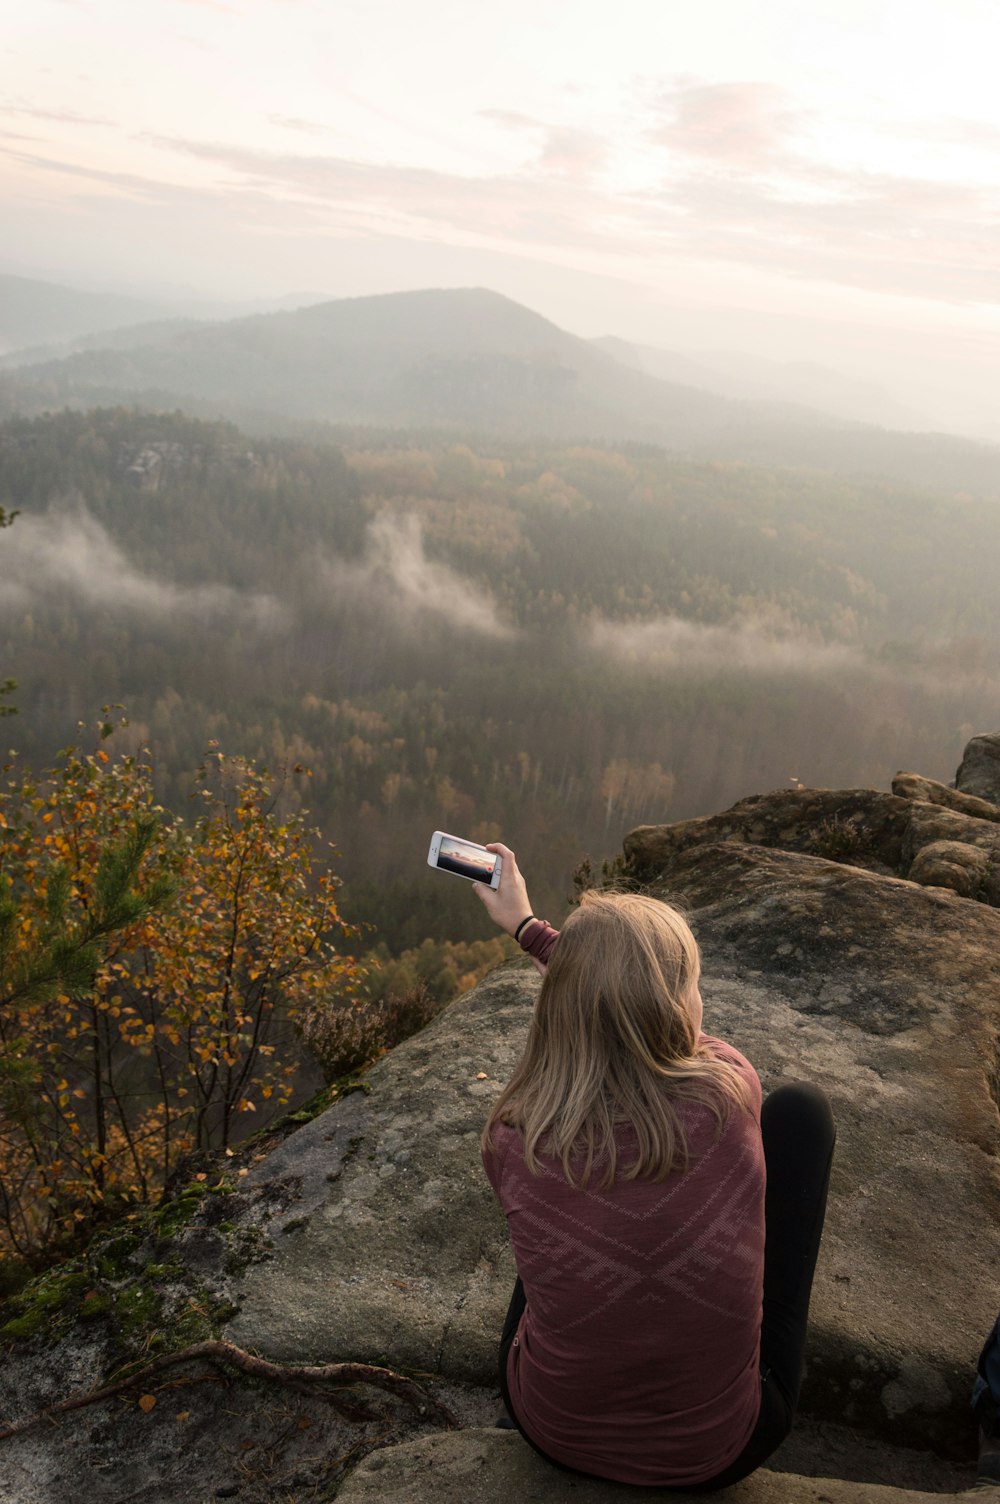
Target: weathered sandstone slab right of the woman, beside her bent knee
(888, 996)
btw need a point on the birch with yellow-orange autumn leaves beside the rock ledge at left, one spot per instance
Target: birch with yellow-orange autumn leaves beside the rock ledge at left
(156, 977)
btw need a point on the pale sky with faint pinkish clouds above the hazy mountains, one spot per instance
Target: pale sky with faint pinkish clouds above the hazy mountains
(799, 180)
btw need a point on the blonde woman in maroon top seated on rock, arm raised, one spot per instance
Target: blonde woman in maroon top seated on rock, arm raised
(650, 1338)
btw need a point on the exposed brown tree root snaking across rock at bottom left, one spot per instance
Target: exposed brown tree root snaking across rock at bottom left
(292, 1375)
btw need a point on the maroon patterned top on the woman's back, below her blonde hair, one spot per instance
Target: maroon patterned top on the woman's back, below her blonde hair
(638, 1353)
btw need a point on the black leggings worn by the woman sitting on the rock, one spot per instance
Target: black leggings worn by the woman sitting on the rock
(799, 1135)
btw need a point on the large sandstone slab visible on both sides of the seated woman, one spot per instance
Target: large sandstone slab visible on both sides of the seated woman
(885, 993)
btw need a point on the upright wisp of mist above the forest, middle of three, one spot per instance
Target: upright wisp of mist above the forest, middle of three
(401, 580)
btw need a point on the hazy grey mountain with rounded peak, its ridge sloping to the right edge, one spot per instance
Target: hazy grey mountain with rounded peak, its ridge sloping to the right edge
(474, 362)
